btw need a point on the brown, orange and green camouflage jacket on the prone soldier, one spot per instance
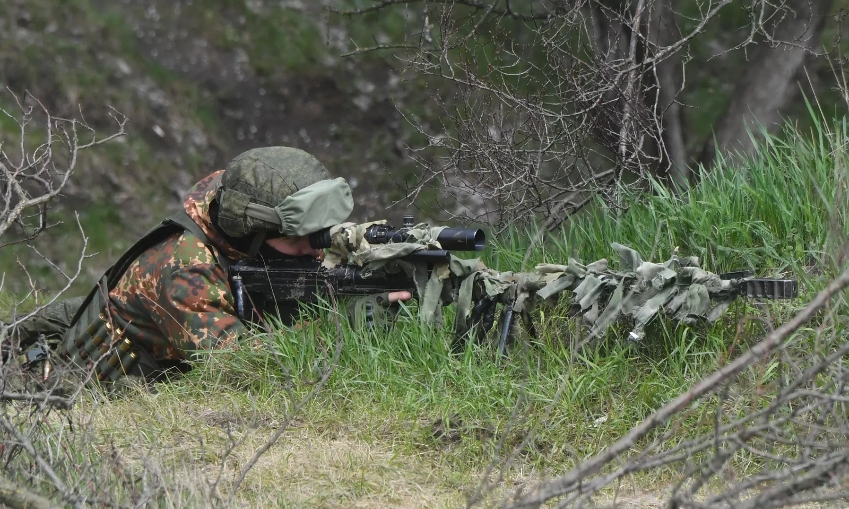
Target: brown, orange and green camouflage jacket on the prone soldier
(175, 298)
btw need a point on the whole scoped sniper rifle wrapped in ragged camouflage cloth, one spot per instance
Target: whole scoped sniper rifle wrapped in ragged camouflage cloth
(374, 258)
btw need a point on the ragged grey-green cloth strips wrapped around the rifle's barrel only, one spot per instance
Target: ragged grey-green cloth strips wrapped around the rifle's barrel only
(640, 290)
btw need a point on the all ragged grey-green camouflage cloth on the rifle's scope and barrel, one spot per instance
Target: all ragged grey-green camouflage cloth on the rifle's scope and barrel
(601, 295)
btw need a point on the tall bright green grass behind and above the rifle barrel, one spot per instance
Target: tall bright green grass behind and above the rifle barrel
(781, 210)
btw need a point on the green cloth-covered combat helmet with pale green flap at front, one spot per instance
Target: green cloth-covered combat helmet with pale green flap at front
(279, 191)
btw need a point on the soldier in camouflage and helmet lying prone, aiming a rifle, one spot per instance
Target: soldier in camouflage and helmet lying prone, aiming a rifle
(169, 296)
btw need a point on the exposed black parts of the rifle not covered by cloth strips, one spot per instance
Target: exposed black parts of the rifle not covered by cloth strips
(279, 285)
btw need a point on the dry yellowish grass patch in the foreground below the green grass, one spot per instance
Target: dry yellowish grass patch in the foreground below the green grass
(190, 442)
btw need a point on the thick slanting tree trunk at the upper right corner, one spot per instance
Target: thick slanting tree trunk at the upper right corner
(768, 85)
